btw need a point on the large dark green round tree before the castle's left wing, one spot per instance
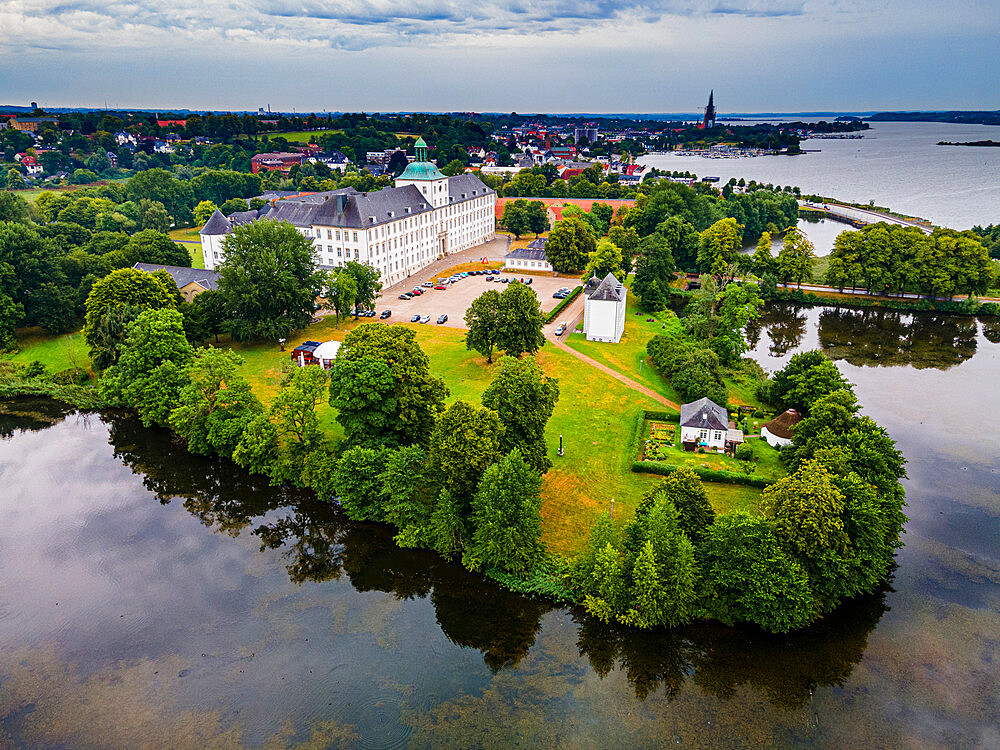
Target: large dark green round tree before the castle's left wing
(268, 280)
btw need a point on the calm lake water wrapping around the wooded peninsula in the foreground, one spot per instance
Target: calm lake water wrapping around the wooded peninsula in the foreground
(150, 598)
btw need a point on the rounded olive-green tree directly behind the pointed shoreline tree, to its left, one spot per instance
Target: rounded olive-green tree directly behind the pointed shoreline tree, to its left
(465, 442)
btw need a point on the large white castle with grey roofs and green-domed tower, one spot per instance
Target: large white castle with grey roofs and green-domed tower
(398, 230)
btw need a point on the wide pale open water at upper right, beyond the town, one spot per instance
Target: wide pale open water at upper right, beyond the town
(897, 165)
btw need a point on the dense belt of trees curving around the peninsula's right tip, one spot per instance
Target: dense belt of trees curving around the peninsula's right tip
(828, 531)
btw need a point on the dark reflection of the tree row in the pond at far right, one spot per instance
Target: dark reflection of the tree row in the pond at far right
(872, 337)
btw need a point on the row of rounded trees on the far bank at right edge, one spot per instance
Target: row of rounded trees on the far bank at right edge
(892, 259)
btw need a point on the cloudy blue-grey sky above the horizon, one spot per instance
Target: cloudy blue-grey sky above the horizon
(504, 55)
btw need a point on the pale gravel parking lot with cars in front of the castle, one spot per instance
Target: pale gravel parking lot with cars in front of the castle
(454, 300)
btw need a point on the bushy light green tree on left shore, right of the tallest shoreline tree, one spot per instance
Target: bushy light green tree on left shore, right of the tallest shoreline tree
(215, 408)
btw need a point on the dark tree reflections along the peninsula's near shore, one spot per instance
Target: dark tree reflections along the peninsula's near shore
(319, 544)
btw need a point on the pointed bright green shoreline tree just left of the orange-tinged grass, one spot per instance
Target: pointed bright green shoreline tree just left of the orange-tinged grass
(506, 521)
